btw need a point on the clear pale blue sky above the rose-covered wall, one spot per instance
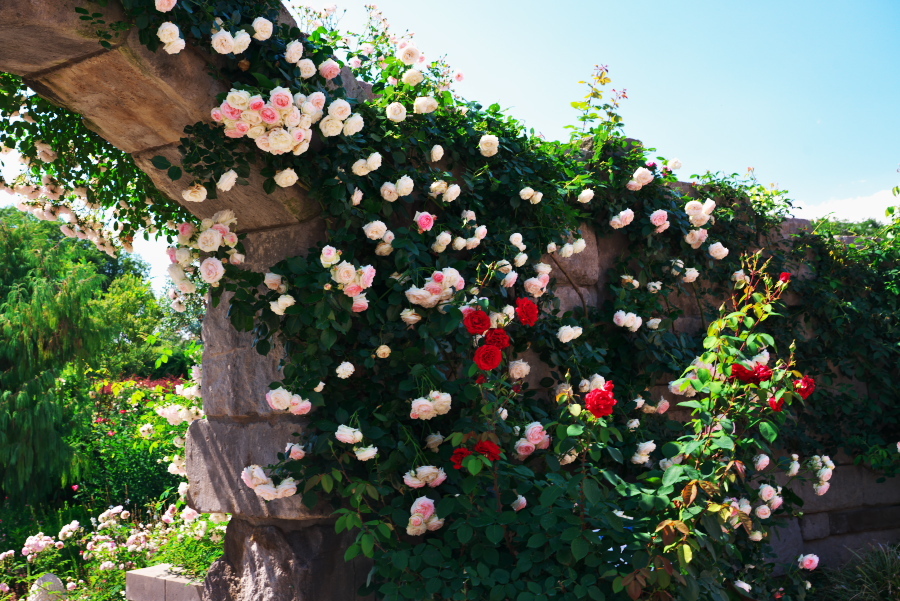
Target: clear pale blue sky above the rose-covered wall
(805, 92)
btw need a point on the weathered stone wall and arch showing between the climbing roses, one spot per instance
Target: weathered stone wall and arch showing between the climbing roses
(280, 550)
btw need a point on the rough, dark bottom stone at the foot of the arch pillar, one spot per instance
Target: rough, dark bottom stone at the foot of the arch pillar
(266, 563)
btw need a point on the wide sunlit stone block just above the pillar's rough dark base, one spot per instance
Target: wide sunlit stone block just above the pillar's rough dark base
(217, 452)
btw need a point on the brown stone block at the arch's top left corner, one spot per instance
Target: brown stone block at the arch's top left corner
(45, 34)
